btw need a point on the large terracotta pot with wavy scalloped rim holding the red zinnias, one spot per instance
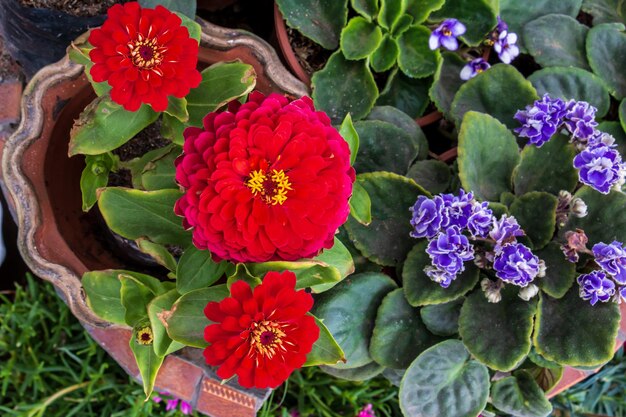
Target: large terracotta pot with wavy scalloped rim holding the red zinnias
(59, 242)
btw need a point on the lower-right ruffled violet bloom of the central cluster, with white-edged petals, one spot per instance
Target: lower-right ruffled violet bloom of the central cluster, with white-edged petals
(516, 264)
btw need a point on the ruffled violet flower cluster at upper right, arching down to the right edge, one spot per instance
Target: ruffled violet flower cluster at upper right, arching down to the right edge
(599, 165)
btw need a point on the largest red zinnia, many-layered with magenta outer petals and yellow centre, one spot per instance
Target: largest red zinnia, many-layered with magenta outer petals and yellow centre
(267, 180)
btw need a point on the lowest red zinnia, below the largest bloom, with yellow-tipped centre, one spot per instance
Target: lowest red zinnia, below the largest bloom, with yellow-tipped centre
(261, 336)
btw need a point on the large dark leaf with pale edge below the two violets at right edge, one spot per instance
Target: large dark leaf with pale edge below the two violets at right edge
(572, 332)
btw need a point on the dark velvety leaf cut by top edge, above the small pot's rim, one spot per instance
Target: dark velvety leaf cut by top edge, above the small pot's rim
(322, 21)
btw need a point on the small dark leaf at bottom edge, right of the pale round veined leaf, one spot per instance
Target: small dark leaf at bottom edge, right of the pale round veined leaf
(520, 396)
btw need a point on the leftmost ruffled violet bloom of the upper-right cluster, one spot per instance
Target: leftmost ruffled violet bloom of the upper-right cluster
(541, 120)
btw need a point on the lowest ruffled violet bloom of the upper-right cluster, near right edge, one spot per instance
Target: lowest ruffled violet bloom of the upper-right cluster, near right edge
(599, 166)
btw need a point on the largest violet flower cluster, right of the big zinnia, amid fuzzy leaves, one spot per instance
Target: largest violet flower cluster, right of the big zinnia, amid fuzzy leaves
(445, 218)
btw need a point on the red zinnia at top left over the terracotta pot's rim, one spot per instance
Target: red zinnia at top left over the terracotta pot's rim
(145, 55)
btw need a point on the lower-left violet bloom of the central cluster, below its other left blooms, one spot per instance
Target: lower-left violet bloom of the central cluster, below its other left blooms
(449, 249)
